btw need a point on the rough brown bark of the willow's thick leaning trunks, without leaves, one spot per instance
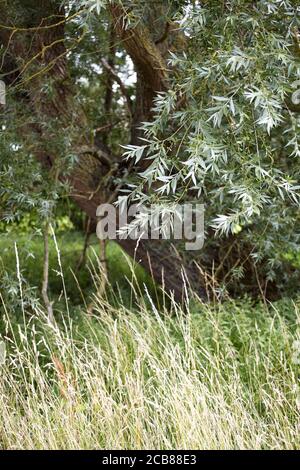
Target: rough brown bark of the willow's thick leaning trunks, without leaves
(40, 41)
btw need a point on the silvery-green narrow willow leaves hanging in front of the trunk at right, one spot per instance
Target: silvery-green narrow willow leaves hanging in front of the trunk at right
(234, 143)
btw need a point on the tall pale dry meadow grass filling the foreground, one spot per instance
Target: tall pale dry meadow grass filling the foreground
(148, 374)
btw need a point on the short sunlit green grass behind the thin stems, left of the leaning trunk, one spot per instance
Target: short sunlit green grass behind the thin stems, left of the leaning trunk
(30, 248)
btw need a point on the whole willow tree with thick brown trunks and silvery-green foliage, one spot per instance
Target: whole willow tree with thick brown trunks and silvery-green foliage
(209, 117)
